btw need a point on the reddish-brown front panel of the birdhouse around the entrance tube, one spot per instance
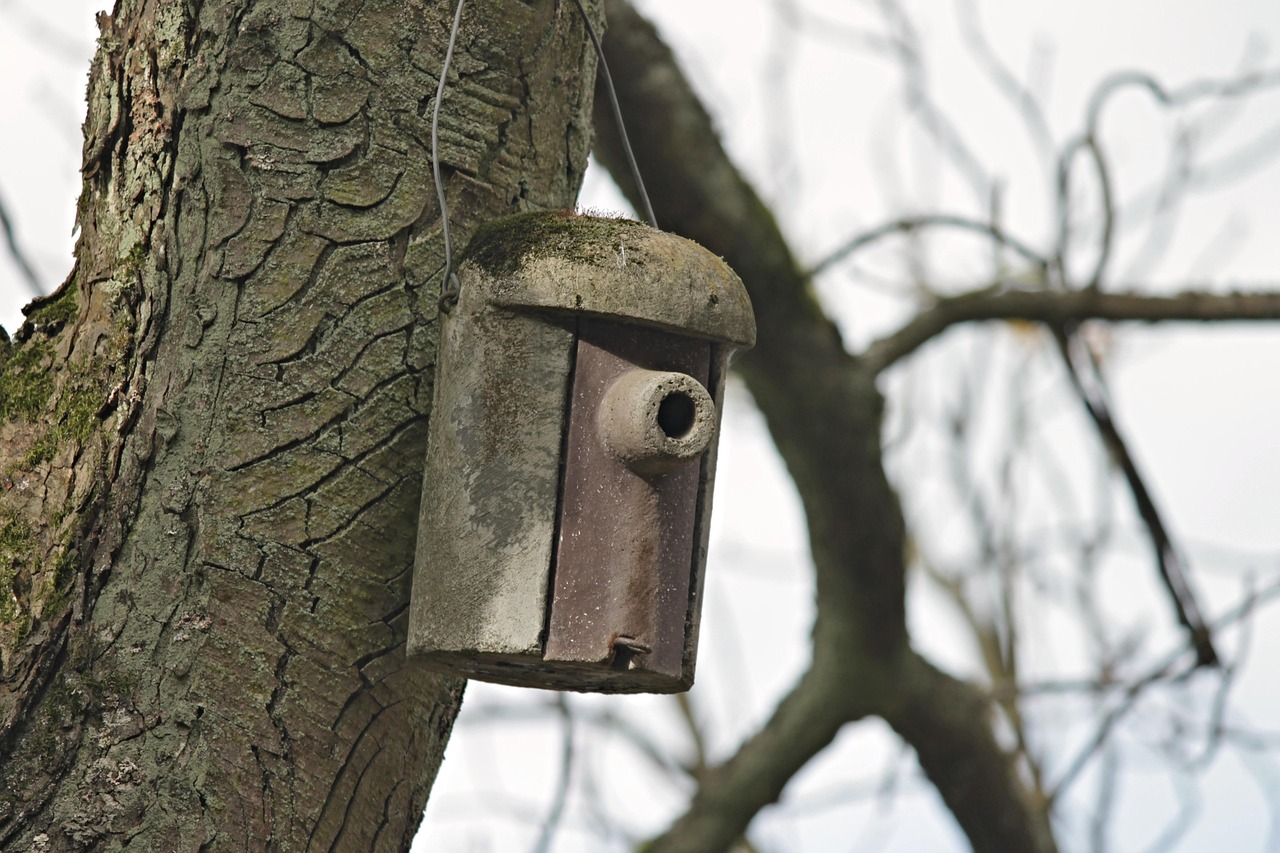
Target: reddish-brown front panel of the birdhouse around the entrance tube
(628, 545)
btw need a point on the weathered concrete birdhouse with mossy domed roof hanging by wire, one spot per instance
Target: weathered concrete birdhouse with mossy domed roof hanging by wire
(572, 454)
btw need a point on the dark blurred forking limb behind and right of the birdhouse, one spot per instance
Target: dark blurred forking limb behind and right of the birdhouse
(824, 412)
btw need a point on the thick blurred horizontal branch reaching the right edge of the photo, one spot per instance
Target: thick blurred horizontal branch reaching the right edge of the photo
(1060, 308)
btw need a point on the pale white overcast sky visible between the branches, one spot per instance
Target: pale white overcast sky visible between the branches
(1203, 407)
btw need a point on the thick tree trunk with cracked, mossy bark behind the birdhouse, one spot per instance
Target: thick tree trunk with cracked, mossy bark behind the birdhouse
(212, 439)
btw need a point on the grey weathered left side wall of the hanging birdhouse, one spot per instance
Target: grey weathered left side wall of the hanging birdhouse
(490, 496)
